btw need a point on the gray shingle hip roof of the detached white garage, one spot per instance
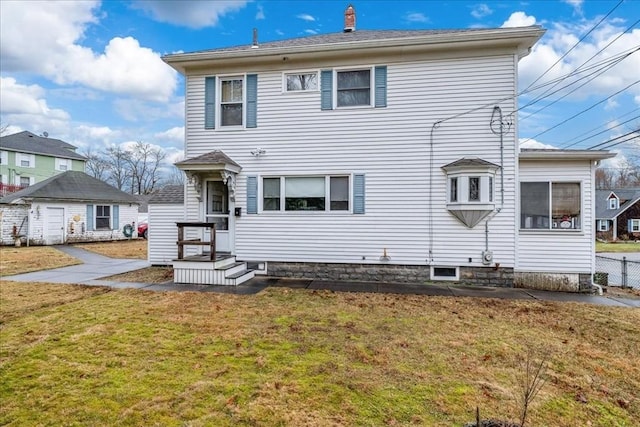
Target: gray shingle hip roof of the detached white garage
(71, 186)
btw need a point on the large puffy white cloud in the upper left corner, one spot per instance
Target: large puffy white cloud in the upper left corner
(53, 51)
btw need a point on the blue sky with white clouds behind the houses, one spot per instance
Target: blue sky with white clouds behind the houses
(90, 72)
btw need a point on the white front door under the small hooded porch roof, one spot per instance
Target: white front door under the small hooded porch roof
(217, 211)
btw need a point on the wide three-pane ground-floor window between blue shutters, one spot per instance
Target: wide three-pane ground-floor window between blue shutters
(306, 193)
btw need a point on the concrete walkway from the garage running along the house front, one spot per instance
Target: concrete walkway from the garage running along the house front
(95, 267)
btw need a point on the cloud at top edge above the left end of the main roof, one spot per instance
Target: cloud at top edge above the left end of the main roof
(189, 13)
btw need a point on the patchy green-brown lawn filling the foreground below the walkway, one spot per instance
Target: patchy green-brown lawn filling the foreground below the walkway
(301, 357)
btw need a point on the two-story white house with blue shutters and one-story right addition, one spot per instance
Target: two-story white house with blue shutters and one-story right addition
(379, 155)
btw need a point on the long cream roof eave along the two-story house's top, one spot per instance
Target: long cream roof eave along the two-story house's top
(520, 38)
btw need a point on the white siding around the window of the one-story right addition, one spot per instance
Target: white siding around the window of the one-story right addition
(559, 251)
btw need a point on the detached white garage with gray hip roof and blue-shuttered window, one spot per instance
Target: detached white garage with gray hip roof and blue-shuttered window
(67, 208)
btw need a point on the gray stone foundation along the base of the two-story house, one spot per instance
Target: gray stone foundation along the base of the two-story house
(484, 276)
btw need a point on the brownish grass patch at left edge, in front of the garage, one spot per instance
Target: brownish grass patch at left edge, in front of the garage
(33, 258)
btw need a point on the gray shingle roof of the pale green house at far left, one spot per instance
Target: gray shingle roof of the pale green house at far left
(27, 142)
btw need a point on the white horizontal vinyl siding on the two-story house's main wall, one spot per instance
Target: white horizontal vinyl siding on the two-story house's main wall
(389, 146)
